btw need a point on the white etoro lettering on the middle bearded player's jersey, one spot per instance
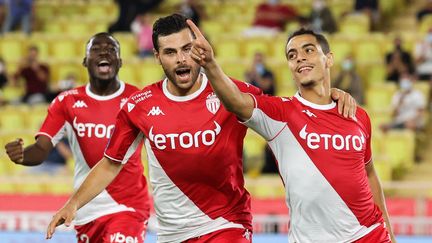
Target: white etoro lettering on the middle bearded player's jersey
(185, 139)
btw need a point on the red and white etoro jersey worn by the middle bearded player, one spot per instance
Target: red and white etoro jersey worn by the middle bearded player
(194, 149)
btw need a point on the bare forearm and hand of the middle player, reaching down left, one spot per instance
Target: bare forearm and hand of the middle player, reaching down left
(96, 181)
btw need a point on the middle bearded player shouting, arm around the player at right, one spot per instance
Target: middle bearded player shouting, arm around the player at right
(194, 148)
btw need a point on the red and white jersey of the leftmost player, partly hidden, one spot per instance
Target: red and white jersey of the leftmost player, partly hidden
(88, 121)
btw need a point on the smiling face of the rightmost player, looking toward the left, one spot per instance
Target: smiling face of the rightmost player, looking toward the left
(307, 62)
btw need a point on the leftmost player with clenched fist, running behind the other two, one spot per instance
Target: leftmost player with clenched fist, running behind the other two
(87, 115)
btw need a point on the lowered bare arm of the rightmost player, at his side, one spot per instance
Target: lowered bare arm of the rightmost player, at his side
(378, 196)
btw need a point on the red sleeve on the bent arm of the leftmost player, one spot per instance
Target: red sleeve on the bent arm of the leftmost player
(54, 125)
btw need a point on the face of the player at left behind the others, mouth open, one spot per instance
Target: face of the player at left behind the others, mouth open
(102, 58)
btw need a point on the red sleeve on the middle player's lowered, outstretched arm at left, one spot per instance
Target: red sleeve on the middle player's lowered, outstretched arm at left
(125, 139)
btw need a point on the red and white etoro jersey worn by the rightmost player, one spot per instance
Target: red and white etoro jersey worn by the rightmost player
(321, 157)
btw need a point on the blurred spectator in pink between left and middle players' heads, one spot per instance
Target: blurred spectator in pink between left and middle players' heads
(142, 28)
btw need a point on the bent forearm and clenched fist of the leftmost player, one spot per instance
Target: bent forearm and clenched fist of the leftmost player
(32, 155)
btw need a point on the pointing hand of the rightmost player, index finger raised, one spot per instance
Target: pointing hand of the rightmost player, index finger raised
(201, 52)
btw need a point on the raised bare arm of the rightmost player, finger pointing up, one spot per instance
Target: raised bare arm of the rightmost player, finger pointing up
(232, 98)
